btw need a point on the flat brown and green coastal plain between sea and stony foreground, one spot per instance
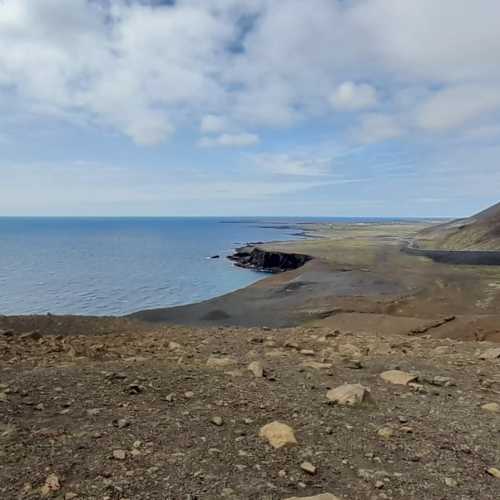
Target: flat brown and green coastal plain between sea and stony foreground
(355, 276)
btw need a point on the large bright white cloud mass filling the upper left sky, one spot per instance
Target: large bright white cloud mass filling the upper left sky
(130, 66)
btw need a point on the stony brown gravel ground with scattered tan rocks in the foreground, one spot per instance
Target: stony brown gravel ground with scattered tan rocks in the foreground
(180, 413)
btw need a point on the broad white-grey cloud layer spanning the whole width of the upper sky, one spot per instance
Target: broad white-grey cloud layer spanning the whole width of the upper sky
(147, 69)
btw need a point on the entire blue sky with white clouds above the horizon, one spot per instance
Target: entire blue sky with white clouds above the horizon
(249, 107)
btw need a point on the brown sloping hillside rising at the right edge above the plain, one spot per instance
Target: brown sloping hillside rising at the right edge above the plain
(479, 232)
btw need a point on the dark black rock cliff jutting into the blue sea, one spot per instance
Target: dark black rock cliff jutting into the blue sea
(267, 261)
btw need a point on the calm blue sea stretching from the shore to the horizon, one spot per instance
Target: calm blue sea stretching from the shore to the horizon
(120, 265)
